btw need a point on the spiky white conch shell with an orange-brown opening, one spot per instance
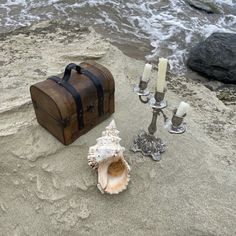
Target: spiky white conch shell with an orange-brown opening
(107, 157)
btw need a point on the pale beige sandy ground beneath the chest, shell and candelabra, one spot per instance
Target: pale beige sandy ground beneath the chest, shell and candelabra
(49, 189)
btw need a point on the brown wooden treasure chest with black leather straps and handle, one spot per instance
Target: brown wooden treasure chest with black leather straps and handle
(70, 106)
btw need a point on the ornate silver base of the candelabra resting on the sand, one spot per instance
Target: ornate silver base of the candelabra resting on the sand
(149, 145)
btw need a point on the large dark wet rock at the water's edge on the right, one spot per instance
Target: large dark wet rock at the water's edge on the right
(215, 58)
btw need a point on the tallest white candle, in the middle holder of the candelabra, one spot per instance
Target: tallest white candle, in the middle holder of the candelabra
(161, 77)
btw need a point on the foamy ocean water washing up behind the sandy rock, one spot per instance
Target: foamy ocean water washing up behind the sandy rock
(152, 29)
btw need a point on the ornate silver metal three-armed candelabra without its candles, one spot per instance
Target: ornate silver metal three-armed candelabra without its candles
(146, 142)
